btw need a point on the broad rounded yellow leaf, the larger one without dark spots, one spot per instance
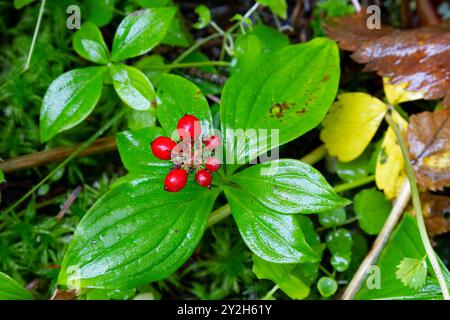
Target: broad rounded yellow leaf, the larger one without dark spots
(351, 124)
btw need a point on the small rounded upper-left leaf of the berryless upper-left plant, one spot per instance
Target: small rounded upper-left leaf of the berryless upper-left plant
(88, 42)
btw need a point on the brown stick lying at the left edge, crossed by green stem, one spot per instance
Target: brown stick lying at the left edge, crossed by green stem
(44, 157)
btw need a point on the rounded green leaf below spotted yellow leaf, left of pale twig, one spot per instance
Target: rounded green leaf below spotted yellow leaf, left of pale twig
(372, 210)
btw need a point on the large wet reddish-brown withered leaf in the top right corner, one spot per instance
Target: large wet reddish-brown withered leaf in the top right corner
(419, 57)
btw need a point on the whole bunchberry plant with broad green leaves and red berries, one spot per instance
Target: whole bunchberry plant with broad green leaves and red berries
(138, 232)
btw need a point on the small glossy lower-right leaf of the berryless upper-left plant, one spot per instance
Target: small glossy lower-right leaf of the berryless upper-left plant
(132, 86)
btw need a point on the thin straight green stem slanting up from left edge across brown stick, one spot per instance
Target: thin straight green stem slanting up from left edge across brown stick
(83, 146)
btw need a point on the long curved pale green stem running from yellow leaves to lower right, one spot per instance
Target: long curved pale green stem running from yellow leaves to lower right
(418, 209)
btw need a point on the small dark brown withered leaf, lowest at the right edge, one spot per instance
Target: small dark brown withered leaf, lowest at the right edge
(434, 210)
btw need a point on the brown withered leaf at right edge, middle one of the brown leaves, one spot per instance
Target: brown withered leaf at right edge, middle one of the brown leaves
(429, 148)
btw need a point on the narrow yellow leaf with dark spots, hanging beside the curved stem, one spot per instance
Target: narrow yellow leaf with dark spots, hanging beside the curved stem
(390, 170)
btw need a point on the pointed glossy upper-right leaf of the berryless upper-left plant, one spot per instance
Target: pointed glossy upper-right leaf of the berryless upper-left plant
(140, 31)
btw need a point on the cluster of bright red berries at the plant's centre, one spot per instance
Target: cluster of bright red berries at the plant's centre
(188, 155)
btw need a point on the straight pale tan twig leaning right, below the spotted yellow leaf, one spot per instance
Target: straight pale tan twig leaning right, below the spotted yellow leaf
(372, 256)
